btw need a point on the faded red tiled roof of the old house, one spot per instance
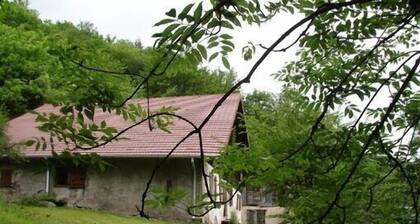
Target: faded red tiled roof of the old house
(140, 141)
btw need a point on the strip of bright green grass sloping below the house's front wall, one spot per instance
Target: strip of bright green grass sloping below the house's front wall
(21, 214)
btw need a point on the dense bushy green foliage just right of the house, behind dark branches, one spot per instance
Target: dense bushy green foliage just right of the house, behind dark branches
(302, 183)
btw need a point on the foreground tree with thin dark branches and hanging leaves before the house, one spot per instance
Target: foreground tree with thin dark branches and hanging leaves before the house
(348, 50)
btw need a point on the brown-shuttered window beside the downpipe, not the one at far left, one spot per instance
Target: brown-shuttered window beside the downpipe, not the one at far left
(70, 177)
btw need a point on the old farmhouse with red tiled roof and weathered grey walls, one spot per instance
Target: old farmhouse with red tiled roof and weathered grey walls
(120, 187)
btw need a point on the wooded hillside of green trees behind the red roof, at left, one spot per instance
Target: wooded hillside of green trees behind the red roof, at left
(43, 62)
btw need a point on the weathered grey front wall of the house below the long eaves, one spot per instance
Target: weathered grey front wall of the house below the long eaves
(117, 189)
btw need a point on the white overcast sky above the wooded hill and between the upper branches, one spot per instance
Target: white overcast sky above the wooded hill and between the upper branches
(134, 19)
